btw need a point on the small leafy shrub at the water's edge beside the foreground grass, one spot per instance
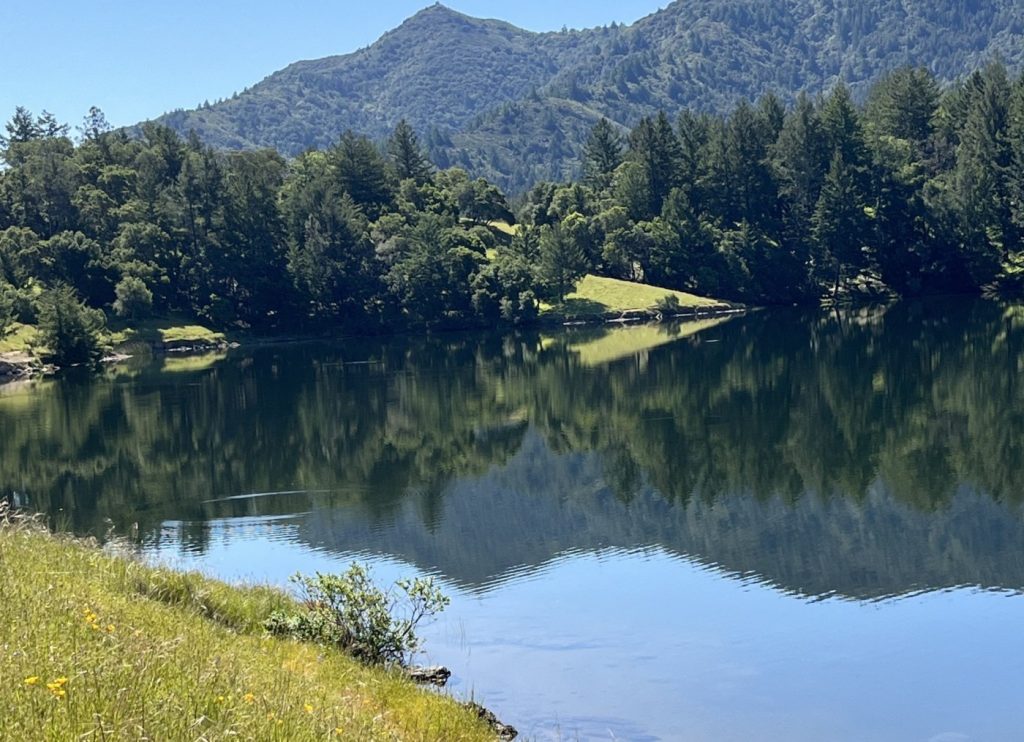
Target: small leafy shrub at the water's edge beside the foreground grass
(349, 612)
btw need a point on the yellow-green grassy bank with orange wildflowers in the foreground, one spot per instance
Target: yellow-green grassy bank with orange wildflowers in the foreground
(96, 646)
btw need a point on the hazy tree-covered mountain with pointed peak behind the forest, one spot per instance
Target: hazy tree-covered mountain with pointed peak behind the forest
(516, 106)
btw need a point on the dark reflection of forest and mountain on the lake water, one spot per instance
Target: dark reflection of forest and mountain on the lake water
(865, 456)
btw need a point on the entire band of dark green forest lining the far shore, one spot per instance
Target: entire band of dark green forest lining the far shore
(920, 191)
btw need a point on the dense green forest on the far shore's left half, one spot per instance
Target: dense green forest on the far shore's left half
(352, 237)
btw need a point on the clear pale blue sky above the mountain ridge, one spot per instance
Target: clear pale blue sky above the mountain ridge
(139, 59)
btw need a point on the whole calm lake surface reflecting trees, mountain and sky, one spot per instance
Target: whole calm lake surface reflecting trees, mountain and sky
(784, 527)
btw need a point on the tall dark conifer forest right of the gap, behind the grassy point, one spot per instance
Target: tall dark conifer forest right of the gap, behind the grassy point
(919, 191)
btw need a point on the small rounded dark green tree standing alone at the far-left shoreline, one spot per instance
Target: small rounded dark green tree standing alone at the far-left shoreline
(69, 329)
